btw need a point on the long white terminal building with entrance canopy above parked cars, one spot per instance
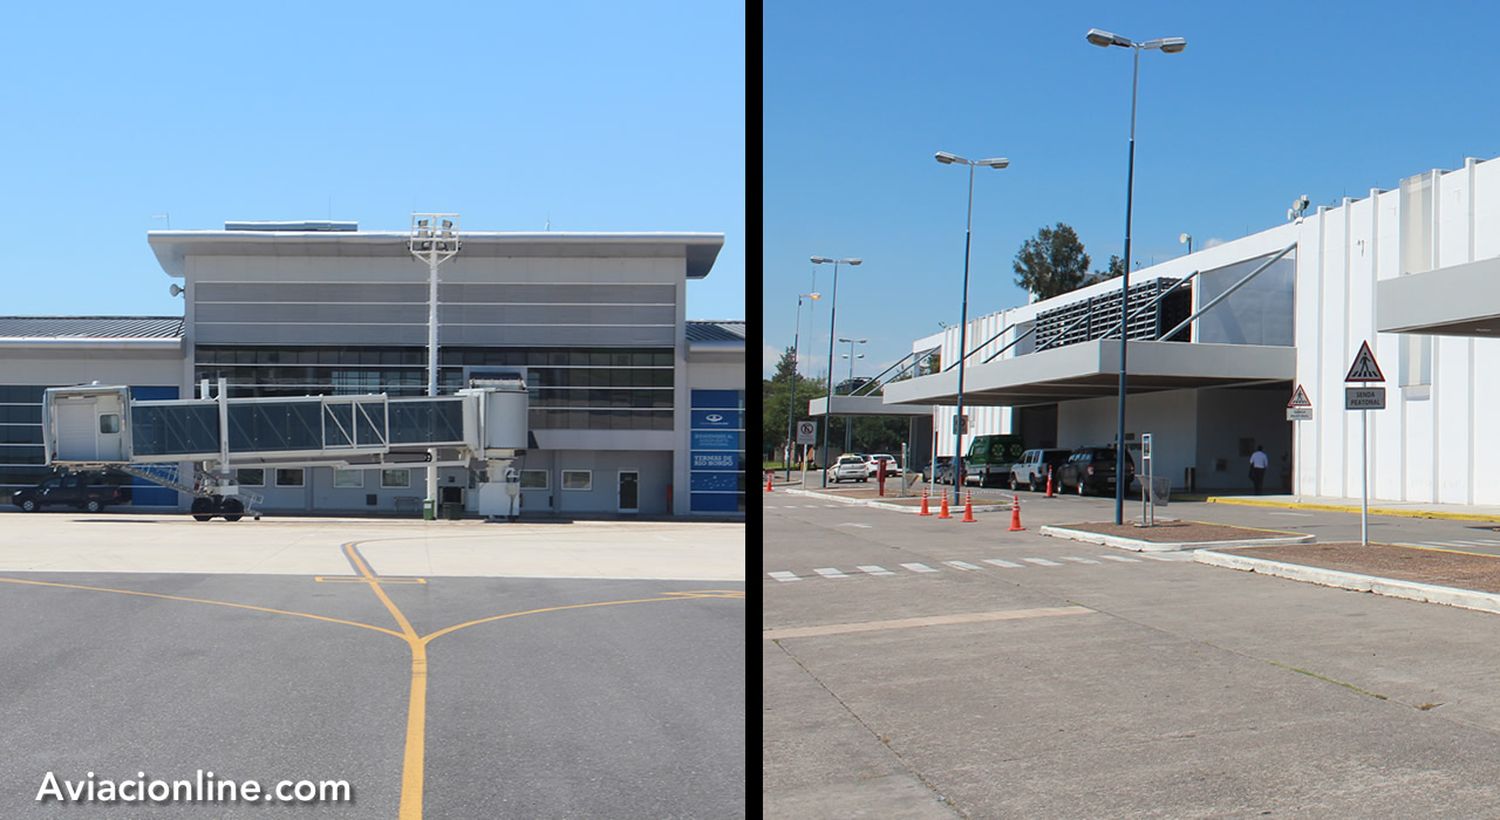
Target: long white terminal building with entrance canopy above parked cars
(1220, 340)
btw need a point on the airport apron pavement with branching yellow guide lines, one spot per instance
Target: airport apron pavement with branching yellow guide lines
(430, 695)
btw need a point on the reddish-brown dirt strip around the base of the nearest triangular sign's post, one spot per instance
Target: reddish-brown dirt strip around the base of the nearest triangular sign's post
(1444, 569)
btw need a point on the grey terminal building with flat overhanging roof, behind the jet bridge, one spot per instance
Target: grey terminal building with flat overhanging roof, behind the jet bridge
(634, 409)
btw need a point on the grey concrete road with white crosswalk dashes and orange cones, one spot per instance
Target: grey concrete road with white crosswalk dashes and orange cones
(940, 669)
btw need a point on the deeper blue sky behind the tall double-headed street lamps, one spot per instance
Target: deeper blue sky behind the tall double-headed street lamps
(1270, 101)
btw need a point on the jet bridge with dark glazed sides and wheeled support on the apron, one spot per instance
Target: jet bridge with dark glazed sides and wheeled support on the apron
(482, 428)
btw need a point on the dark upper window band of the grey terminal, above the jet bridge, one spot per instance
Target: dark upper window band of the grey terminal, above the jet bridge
(572, 389)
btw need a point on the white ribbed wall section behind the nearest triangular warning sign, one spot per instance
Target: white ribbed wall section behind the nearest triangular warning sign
(1429, 443)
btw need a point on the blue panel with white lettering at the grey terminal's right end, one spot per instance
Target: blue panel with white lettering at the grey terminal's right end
(718, 452)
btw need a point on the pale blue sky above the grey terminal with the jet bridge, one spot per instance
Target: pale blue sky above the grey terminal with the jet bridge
(596, 116)
